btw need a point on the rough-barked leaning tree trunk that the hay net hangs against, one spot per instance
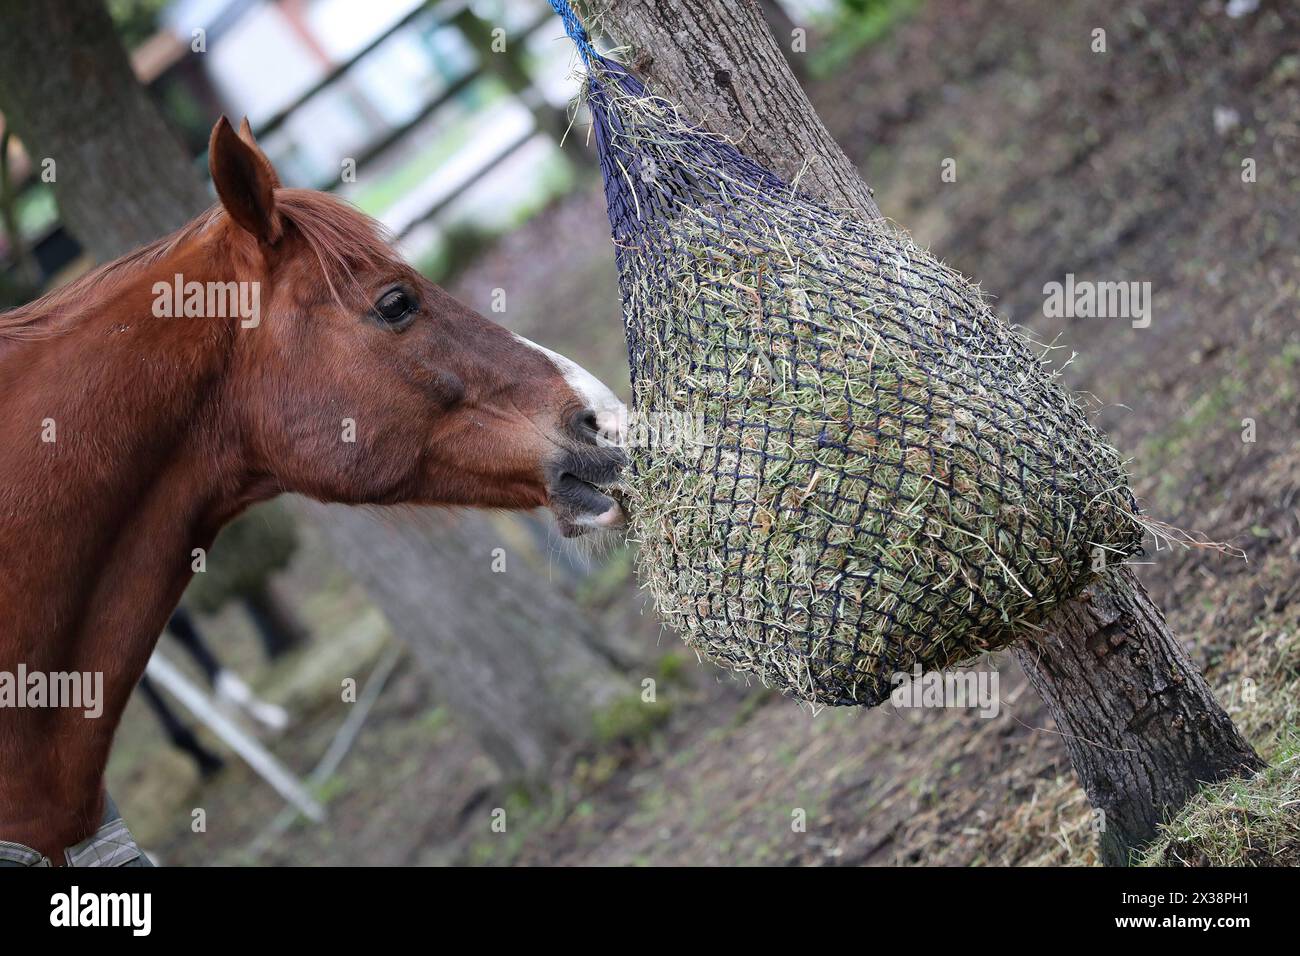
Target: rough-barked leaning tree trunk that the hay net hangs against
(1141, 725)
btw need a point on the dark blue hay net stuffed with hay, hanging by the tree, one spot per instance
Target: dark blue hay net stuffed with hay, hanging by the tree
(844, 466)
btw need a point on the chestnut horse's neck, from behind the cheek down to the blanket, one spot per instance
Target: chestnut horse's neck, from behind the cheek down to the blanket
(118, 465)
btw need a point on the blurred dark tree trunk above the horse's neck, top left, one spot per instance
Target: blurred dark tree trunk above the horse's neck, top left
(67, 86)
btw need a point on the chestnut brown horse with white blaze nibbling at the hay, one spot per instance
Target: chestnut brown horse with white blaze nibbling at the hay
(302, 356)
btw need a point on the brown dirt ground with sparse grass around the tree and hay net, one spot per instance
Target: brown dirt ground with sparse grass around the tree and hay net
(1117, 166)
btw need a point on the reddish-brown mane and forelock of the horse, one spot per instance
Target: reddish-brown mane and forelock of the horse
(343, 239)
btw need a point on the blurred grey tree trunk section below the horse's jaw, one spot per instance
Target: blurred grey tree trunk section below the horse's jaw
(513, 659)
